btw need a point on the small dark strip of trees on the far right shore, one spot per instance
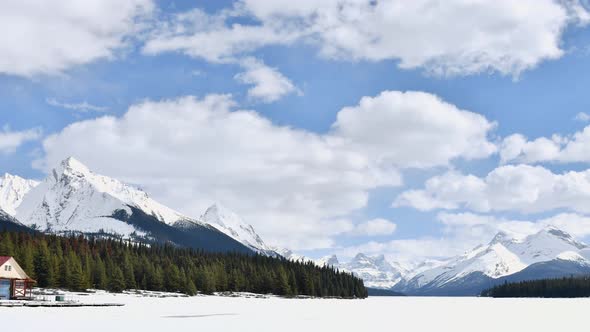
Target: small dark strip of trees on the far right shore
(563, 287)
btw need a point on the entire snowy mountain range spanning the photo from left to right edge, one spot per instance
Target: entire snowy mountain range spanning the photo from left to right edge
(74, 200)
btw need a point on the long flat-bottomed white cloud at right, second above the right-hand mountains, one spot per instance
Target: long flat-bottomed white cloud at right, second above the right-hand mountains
(522, 188)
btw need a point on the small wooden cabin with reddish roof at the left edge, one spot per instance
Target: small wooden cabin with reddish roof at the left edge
(14, 282)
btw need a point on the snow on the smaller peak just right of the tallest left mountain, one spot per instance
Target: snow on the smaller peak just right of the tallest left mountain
(234, 226)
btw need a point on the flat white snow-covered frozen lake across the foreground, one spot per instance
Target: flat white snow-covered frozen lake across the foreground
(212, 313)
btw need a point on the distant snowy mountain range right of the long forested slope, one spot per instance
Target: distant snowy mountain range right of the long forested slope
(549, 253)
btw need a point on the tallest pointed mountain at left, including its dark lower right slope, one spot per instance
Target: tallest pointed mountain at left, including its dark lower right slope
(73, 199)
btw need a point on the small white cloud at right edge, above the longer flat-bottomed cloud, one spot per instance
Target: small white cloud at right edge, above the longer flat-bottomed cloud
(561, 149)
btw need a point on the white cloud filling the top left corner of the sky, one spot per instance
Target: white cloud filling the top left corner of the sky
(48, 37)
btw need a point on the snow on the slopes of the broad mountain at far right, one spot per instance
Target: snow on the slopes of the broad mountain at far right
(504, 256)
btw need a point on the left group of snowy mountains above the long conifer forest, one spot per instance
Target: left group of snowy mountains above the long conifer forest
(73, 199)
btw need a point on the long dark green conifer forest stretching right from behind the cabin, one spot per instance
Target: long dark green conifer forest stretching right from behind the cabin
(78, 263)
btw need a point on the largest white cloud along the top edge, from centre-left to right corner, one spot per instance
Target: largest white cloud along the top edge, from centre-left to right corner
(458, 38)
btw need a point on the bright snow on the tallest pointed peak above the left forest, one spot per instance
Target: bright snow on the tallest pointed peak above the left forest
(72, 198)
